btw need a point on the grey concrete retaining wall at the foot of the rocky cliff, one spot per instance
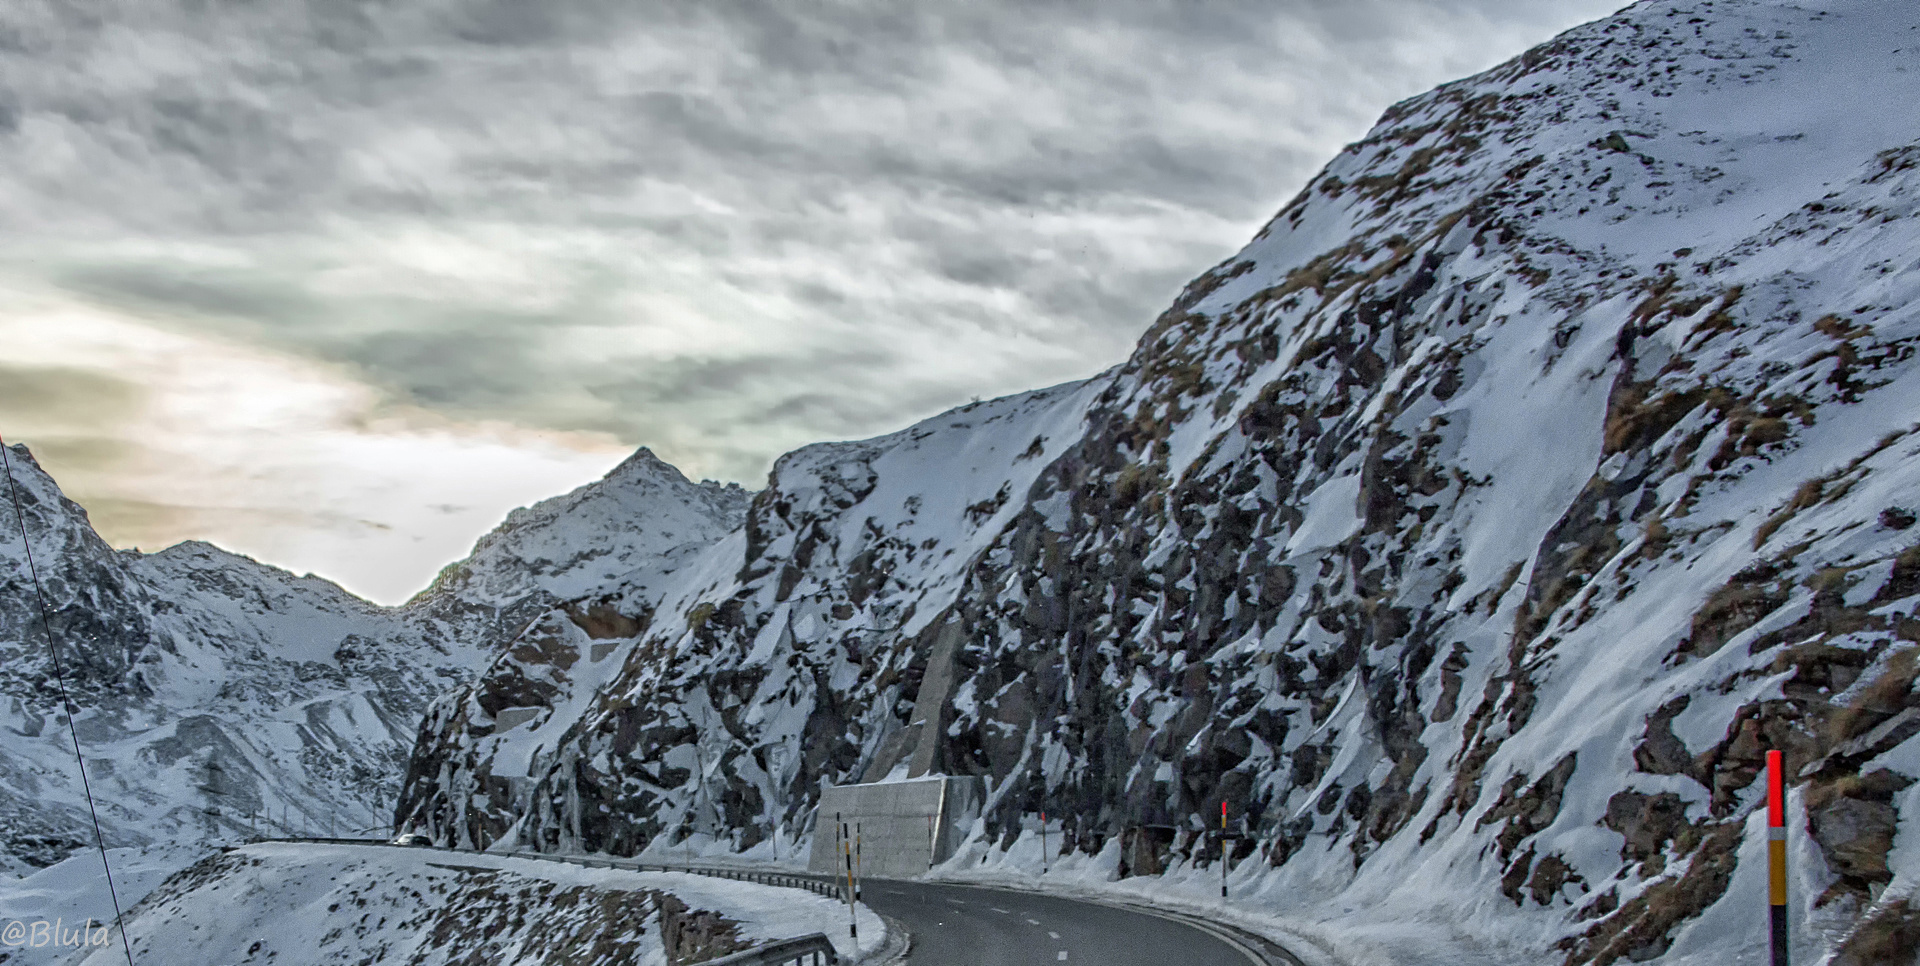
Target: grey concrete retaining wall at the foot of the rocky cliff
(903, 827)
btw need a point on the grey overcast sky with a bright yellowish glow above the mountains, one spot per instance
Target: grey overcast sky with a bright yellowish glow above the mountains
(339, 283)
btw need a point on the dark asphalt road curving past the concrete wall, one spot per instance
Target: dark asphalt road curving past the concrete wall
(971, 927)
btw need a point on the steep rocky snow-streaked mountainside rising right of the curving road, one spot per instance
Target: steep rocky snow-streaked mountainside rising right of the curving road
(1472, 533)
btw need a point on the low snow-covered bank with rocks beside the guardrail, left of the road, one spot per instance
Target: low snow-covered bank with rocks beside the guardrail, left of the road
(356, 904)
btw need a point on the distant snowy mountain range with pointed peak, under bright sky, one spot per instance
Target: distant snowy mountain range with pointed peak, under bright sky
(222, 696)
